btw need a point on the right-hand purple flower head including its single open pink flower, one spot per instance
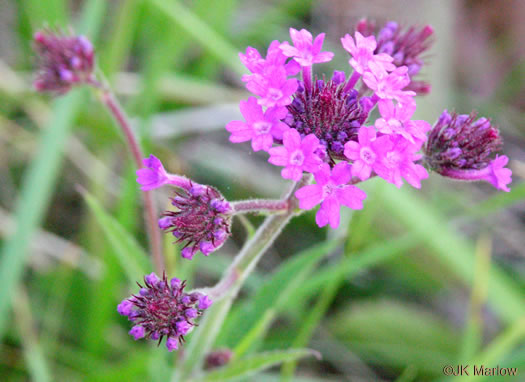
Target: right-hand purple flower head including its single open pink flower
(462, 146)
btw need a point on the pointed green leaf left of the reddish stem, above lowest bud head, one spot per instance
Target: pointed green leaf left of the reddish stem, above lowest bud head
(128, 252)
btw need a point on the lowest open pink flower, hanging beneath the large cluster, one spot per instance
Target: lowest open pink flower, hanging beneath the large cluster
(331, 191)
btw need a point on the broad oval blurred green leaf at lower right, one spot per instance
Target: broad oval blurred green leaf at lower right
(396, 334)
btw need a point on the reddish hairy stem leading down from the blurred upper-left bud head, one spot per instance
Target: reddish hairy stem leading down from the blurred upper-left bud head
(150, 216)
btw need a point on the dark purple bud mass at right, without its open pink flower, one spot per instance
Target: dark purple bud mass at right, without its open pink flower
(461, 142)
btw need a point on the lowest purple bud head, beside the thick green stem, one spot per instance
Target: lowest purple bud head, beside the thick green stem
(162, 309)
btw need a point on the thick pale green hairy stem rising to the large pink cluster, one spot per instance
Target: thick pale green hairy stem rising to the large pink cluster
(225, 291)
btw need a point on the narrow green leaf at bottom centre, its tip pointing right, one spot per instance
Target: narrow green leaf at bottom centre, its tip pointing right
(255, 363)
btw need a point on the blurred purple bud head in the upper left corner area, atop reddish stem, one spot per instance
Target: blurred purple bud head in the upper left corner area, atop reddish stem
(64, 61)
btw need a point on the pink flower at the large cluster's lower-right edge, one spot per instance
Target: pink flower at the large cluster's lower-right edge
(399, 163)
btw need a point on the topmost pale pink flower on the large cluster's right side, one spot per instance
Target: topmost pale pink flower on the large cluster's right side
(362, 51)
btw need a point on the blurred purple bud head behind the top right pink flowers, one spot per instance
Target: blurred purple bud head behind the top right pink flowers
(405, 46)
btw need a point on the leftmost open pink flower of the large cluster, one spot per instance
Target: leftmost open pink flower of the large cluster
(261, 128)
